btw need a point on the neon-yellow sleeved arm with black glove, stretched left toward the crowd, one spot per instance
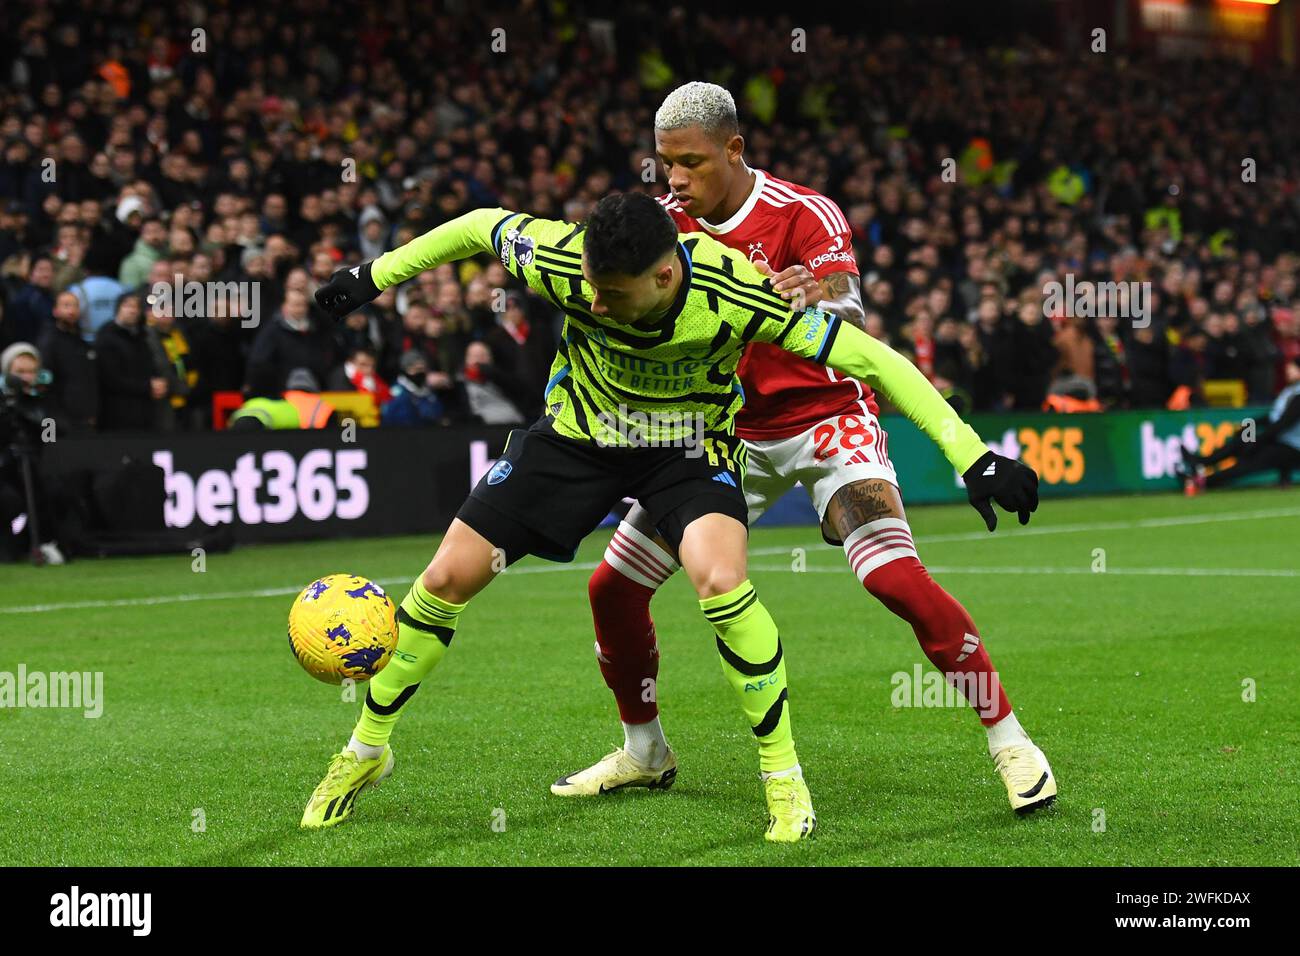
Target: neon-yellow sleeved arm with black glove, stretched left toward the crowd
(466, 236)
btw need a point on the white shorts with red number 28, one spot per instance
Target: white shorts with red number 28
(825, 458)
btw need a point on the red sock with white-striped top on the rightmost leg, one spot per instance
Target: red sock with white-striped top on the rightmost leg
(886, 561)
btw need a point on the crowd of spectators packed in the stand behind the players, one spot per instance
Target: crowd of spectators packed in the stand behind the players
(268, 145)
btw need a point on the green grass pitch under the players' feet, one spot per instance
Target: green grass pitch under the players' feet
(1132, 681)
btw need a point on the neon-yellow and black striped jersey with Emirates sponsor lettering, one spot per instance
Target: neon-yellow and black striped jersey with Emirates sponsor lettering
(671, 374)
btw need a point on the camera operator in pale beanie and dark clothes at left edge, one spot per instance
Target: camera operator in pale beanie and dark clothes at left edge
(27, 500)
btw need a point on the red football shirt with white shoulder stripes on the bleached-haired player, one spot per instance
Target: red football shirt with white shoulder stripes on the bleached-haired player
(785, 226)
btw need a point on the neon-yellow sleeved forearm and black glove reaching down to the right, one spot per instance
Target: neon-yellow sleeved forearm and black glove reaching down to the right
(989, 475)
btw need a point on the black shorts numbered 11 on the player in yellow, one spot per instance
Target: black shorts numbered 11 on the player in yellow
(548, 492)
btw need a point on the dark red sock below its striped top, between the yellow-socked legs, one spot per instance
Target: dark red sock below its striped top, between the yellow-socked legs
(626, 644)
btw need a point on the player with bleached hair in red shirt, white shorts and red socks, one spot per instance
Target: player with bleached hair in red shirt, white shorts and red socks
(801, 422)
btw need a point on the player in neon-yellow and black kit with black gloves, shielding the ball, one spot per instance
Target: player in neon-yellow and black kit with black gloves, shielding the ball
(642, 403)
